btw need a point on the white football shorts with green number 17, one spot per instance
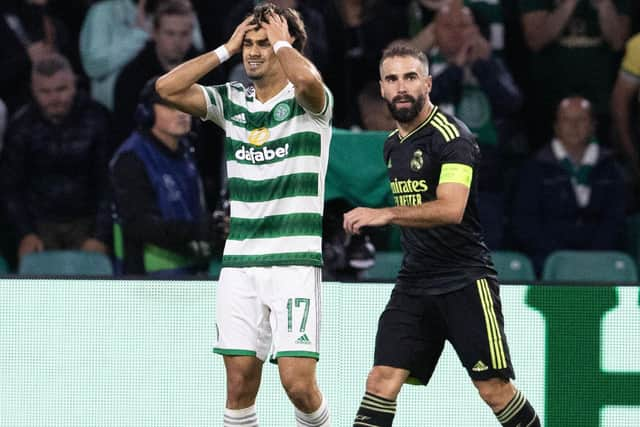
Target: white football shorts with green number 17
(268, 310)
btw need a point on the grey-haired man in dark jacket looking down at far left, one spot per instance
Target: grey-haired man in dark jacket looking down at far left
(53, 170)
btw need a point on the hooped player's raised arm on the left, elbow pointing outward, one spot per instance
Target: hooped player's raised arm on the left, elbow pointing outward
(178, 87)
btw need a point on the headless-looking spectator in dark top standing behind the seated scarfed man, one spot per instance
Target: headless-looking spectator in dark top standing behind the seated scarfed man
(574, 47)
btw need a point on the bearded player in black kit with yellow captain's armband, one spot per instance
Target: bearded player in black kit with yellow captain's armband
(446, 288)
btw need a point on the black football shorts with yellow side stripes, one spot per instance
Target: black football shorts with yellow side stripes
(413, 328)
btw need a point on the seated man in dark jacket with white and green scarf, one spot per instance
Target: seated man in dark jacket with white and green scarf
(572, 194)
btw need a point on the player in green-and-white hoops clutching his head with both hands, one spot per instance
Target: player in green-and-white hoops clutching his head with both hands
(277, 143)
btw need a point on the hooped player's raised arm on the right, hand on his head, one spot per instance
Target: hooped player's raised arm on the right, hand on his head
(299, 70)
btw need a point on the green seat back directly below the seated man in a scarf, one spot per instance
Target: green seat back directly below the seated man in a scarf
(606, 266)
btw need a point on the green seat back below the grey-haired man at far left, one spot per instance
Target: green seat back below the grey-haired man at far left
(73, 263)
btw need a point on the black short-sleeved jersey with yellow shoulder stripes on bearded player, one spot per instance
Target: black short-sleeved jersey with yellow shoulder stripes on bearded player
(443, 258)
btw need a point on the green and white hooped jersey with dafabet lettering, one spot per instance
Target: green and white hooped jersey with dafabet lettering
(277, 155)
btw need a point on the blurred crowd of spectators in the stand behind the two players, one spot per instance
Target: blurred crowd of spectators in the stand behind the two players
(550, 88)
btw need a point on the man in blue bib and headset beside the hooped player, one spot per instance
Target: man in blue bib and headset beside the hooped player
(163, 227)
